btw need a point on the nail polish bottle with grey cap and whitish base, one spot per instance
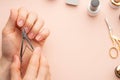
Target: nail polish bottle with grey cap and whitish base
(94, 7)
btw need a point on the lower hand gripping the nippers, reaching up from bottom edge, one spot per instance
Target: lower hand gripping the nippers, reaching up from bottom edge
(38, 68)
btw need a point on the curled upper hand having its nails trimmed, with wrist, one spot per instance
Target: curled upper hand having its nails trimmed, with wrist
(11, 38)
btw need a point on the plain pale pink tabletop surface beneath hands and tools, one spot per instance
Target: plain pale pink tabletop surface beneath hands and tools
(78, 46)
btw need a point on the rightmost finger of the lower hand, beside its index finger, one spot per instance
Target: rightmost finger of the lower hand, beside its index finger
(44, 69)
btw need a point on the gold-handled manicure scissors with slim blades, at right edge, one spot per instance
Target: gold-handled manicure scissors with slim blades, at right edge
(115, 41)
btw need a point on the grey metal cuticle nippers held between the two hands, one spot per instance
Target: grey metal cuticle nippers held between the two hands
(24, 37)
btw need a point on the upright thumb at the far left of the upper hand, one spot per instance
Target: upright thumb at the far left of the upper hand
(11, 23)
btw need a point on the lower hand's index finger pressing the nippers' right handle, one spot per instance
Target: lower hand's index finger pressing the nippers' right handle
(33, 65)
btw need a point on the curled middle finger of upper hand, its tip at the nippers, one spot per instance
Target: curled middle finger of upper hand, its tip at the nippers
(31, 19)
